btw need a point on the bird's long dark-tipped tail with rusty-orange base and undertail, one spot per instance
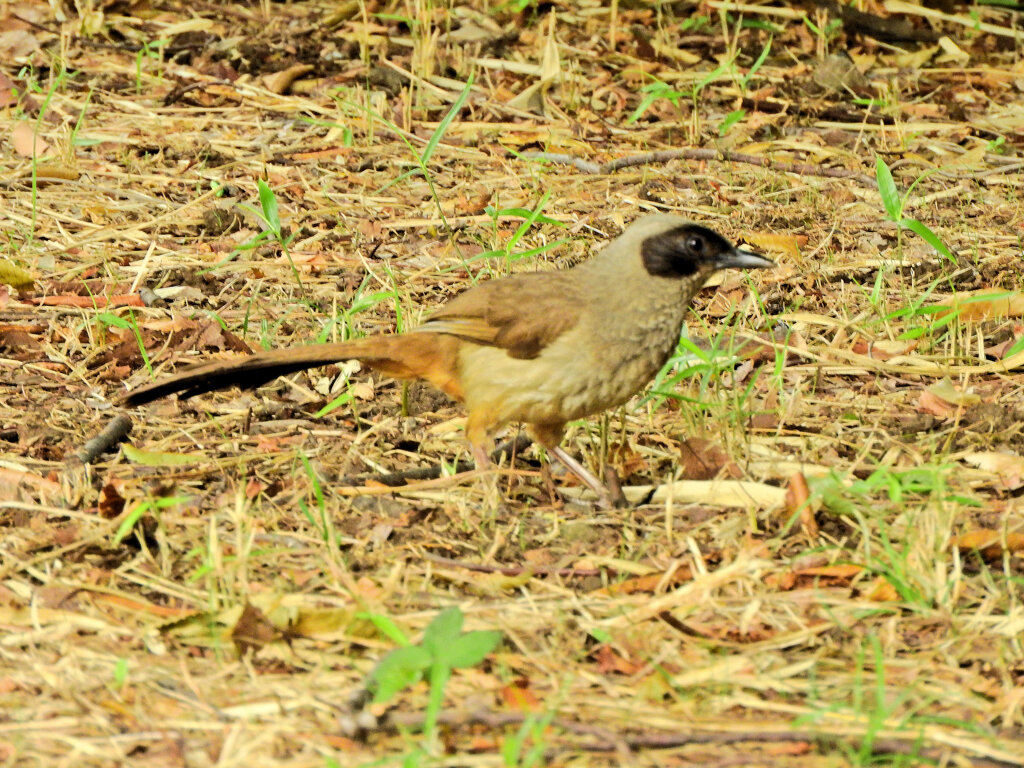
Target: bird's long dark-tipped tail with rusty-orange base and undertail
(419, 356)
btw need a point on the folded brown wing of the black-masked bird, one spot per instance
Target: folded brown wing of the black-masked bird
(522, 315)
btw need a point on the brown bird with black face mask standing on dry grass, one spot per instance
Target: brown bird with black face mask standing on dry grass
(539, 349)
